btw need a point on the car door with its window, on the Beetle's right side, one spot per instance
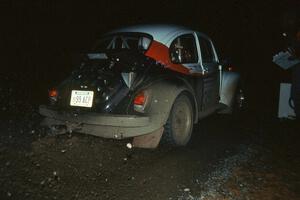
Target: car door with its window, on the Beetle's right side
(209, 62)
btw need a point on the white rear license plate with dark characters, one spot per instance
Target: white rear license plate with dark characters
(82, 98)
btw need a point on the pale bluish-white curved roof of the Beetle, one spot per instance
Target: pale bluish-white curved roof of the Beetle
(159, 32)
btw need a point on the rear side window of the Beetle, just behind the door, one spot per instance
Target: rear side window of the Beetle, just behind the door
(183, 49)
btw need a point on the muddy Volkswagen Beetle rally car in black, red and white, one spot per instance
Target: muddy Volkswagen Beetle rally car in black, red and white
(144, 82)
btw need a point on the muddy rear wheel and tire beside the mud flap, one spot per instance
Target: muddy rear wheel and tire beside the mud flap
(179, 126)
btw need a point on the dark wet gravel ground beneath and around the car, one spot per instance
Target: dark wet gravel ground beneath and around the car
(227, 159)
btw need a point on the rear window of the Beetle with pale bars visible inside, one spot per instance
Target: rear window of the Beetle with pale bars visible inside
(123, 41)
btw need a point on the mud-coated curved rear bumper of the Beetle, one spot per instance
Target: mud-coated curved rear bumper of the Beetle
(102, 125)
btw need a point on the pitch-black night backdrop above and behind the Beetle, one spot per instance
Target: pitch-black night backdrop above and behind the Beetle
(42, 39)
